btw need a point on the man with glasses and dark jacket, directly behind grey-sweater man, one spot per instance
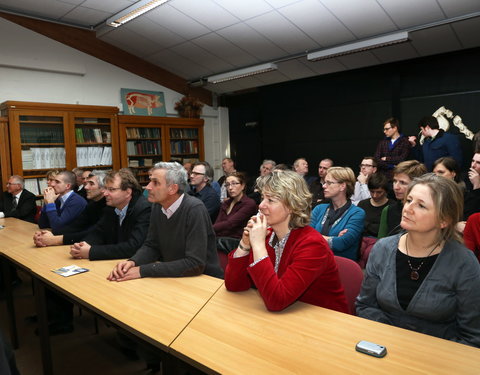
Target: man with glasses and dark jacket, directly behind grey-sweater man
(200, 179)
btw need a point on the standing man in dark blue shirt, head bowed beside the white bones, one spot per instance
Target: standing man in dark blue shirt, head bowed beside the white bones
(437, 143)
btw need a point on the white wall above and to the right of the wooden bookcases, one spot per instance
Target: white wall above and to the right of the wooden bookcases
(37, 69)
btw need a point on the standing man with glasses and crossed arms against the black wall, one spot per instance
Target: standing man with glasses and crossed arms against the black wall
(393, 149)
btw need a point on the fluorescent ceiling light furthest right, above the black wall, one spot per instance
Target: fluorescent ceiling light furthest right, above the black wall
(363, 45)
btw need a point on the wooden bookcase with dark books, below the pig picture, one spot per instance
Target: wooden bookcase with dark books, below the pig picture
(146, 140)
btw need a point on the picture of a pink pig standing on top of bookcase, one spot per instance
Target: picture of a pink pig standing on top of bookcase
(143, 102)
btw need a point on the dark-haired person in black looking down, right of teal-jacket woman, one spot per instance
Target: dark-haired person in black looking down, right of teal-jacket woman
(373, 207)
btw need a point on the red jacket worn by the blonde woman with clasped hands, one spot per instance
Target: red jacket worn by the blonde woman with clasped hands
(307, 272)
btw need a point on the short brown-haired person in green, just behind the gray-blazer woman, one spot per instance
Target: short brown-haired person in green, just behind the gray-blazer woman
(403, 174)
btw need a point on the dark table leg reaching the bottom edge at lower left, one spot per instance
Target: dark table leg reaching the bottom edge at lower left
(40, 301)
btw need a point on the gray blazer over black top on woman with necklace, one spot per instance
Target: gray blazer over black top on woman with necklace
(447, 303)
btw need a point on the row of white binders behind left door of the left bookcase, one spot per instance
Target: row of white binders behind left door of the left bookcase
(43, 158)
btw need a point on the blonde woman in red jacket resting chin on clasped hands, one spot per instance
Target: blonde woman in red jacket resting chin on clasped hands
(283, 257)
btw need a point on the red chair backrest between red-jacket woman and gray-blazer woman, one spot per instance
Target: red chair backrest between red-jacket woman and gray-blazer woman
(351, 276)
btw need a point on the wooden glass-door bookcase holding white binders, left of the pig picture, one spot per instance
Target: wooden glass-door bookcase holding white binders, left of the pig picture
(44, 136)
